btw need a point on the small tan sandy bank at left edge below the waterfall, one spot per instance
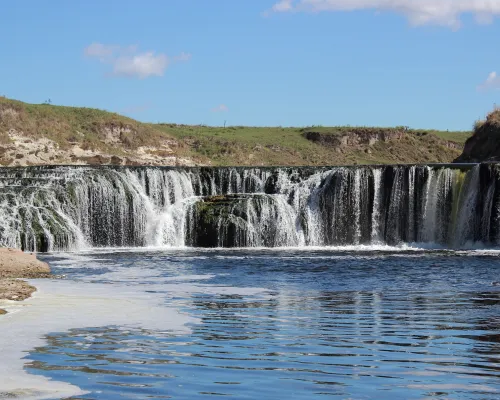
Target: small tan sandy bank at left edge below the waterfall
(15, 264)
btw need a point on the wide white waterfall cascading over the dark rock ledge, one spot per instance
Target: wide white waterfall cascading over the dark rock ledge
(65, 208)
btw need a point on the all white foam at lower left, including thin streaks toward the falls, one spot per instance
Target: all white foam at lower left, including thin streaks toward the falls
(125, 300)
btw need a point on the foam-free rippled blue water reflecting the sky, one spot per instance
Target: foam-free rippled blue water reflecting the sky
(318, 332)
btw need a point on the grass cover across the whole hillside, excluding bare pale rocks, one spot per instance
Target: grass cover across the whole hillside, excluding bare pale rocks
(233, 145)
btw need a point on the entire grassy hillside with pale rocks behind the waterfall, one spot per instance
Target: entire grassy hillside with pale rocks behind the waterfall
(43, 133)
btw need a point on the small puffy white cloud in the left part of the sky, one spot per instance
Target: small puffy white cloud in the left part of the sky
(127, 61)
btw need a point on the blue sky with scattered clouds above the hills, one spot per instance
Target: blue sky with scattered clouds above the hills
(421, 63)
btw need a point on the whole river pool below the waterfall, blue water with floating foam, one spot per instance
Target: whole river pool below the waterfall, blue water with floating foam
(353, 323)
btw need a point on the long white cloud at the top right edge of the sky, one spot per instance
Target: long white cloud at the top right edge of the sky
(419, 12)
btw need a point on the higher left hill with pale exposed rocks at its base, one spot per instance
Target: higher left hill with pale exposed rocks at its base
(34, 134)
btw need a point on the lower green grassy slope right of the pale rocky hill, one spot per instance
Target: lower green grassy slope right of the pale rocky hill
(238, 145)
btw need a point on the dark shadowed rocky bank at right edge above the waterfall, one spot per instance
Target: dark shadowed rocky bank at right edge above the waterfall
(484, 145)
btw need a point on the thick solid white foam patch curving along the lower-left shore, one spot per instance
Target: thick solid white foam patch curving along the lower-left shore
(59, 306)
